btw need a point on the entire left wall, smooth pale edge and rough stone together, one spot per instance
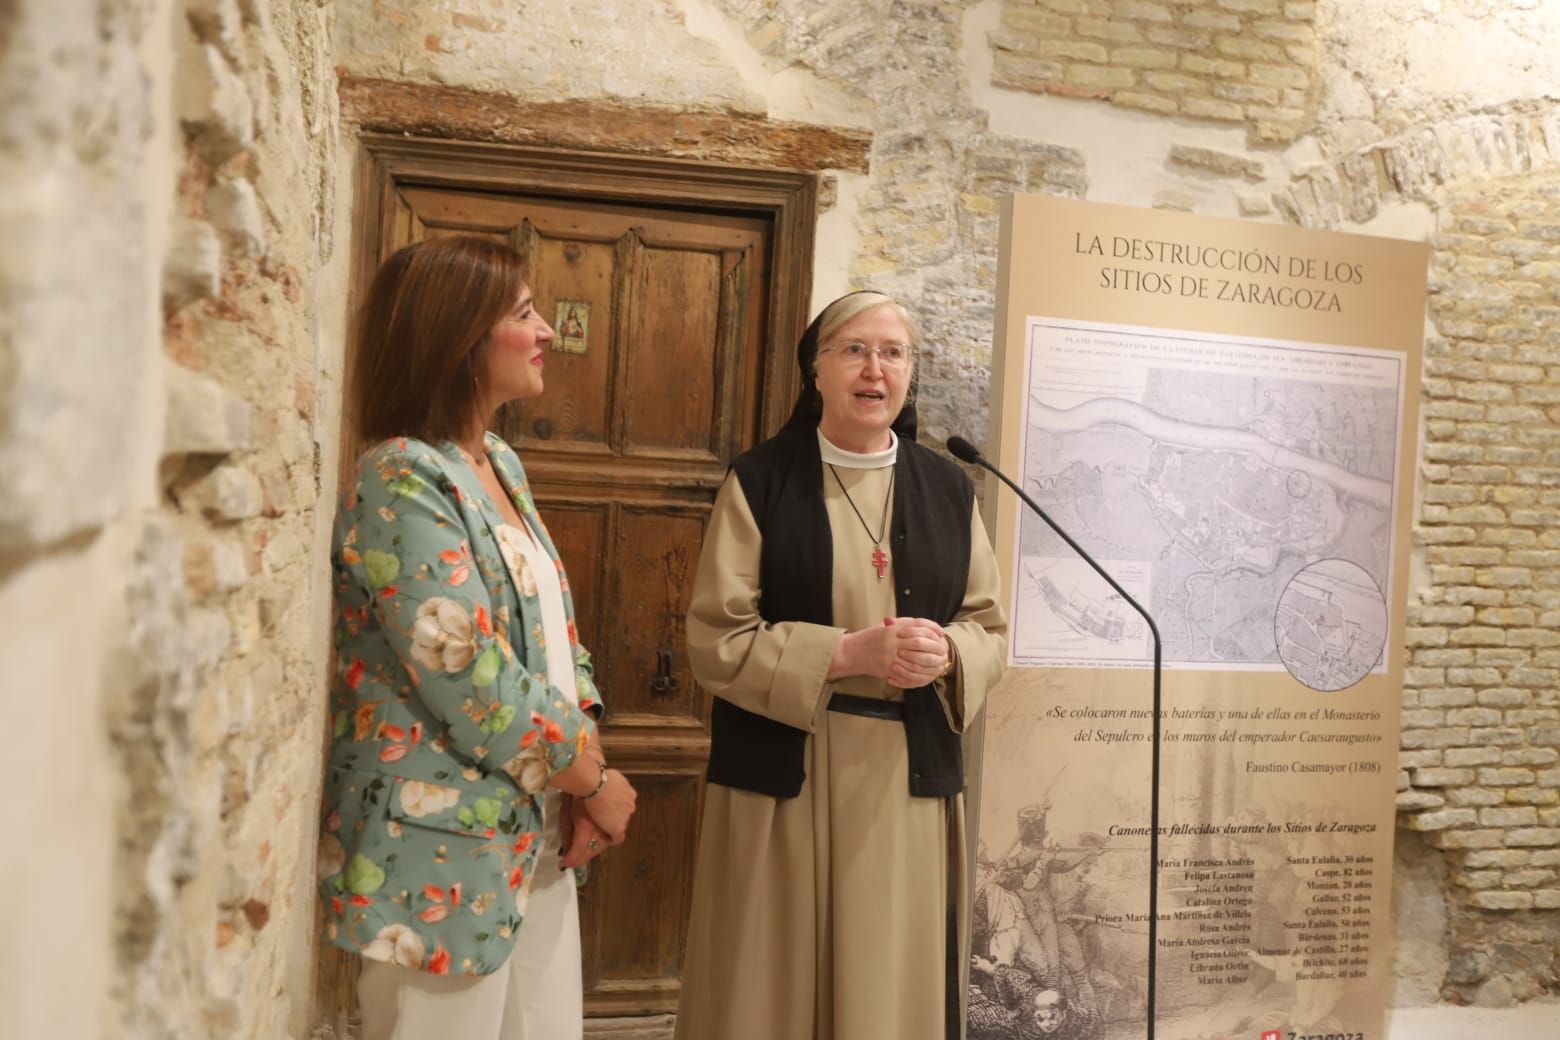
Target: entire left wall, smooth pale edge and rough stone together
(168, 422)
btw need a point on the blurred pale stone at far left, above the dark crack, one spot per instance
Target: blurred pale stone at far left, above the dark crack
(76, 91)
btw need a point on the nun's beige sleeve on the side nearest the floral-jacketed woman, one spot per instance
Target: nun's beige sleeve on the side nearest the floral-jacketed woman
(778, 671)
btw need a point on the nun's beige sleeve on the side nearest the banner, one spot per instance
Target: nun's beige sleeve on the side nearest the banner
(979, 634)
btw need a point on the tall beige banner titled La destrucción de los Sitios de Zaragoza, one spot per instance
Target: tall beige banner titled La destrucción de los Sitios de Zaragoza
(1224, 414)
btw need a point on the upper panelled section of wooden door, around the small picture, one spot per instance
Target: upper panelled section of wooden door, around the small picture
(695, 292)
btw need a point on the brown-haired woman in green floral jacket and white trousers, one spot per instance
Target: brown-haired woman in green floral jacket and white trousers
(466, 779)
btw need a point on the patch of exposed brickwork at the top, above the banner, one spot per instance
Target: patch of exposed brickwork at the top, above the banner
(1233, 62)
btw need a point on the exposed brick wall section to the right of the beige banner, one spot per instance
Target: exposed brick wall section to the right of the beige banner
(1481, 726)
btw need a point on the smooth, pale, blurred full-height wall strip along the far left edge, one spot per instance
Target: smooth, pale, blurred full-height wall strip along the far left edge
(77, 369)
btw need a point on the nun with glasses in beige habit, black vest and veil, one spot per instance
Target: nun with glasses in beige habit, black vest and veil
(846, 618)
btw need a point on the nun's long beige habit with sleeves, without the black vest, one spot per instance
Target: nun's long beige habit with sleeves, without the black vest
(823, 918)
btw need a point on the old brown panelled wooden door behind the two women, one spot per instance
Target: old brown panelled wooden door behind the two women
(661, 373)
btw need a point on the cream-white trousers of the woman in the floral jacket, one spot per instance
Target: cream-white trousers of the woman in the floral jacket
(537, 996)
